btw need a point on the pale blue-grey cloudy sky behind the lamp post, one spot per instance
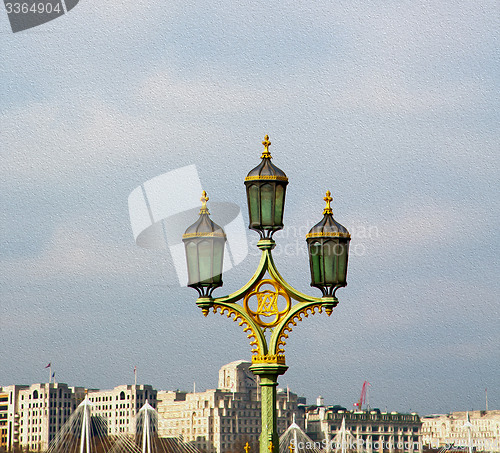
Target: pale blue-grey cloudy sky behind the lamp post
(391, 105)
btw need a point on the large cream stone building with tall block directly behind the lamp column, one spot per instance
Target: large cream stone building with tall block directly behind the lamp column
(224, 419)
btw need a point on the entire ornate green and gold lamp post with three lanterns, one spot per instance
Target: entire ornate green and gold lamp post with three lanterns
(267, 299)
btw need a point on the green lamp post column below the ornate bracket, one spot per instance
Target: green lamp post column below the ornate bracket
(268, 373)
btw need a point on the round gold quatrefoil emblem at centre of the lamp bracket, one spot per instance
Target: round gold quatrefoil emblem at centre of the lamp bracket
(268, 313)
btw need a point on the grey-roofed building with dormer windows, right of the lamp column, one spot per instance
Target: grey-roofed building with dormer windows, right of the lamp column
(372, 431)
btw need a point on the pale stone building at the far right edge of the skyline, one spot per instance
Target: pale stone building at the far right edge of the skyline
(451, 429)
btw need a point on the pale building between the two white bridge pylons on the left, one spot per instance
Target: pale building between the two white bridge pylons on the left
(119, 406)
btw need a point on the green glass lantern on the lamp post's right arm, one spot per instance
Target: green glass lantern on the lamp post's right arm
(328, 245)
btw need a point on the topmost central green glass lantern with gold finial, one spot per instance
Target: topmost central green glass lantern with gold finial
(266, 187)
